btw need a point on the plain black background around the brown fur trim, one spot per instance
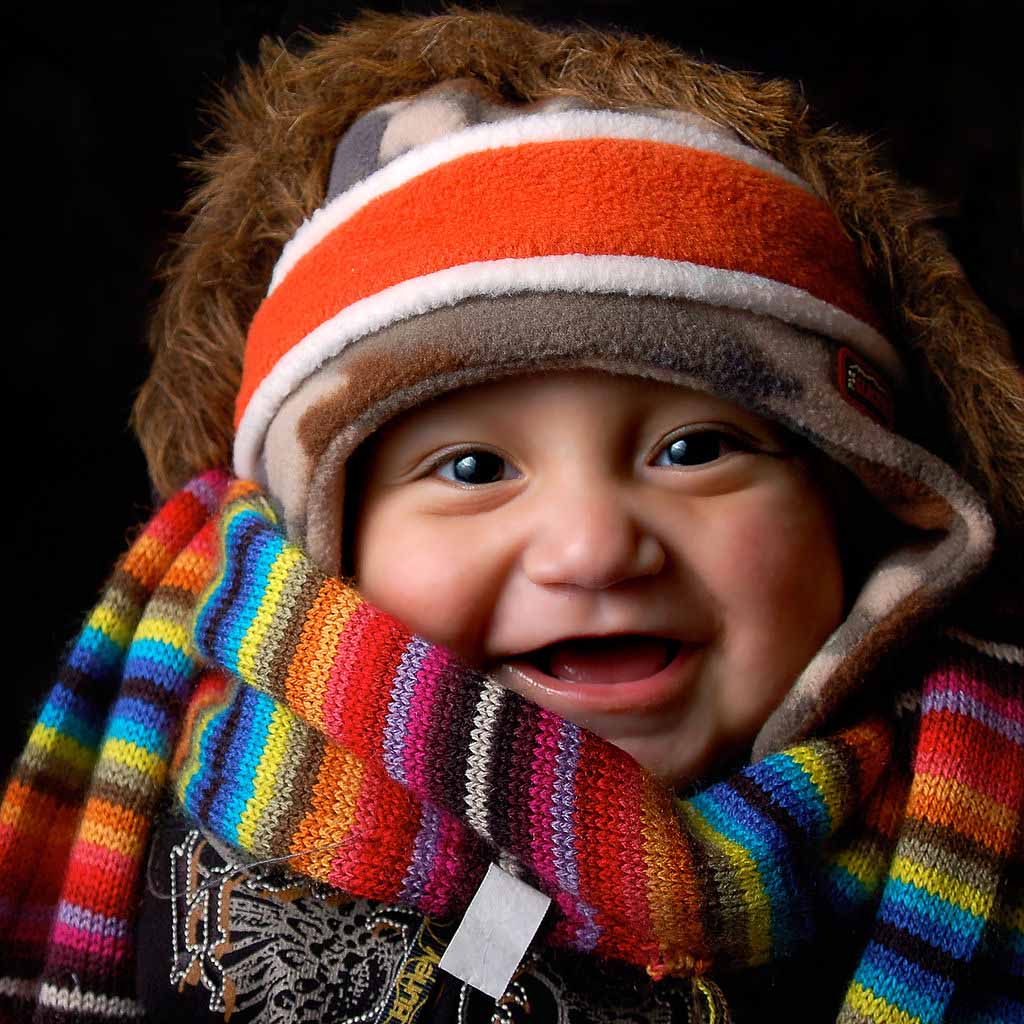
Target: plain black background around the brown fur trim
(100, 109)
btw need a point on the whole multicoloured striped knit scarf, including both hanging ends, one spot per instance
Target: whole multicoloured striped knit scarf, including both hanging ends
(315, 728)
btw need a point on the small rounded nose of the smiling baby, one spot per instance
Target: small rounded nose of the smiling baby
(590, 540)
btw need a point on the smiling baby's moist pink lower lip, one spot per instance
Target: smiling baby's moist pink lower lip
(566, 697)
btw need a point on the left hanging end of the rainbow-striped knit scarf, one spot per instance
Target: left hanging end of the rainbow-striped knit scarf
(76, 816)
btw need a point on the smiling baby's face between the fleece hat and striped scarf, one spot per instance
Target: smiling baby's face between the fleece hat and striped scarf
(651, 563)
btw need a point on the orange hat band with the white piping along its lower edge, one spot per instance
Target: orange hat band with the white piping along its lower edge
(481, 223)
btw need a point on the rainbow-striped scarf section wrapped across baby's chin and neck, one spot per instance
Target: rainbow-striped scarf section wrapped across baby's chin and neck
(385, 767)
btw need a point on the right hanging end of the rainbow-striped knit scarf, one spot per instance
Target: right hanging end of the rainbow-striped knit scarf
(948, 941)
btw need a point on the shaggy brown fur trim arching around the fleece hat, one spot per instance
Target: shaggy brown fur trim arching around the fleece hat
(266, 164)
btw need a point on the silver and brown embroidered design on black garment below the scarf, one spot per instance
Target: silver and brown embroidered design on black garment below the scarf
(261, 946)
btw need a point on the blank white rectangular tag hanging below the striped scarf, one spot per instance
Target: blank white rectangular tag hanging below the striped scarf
(496, 932)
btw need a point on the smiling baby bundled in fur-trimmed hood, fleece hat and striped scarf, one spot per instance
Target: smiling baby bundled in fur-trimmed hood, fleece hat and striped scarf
(573, 476)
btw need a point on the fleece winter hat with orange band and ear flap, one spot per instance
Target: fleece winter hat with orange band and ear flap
(464, 239)
